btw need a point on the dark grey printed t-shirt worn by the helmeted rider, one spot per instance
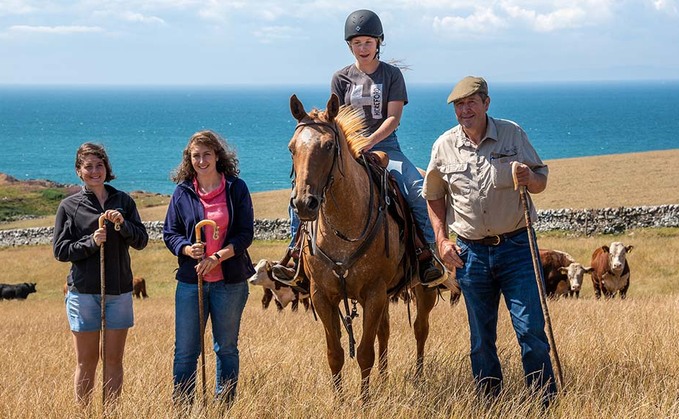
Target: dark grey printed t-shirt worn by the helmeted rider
(372, 92)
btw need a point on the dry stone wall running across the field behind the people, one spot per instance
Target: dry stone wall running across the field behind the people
(583, 222)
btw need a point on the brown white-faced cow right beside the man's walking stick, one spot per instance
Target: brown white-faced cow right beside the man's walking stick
(563, 275)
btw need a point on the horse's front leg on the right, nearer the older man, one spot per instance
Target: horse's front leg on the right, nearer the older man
(374, 308)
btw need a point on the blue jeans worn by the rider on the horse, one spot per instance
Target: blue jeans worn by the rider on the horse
(409, 181)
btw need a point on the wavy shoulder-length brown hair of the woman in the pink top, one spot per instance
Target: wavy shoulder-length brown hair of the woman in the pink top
(227, 162)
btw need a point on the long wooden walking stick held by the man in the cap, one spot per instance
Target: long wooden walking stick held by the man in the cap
(538, 274)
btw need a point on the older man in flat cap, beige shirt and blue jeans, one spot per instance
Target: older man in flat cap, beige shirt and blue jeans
(470, 191)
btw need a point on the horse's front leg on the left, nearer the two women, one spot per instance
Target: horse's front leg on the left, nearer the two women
(327, 311)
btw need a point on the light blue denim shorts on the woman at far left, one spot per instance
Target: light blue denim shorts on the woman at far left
(84, 311)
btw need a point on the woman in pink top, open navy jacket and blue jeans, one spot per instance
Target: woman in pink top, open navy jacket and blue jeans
(208, 187)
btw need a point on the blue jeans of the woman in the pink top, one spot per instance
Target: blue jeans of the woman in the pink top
(223, 304)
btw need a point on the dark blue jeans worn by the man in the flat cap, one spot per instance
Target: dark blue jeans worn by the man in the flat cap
(506, 269)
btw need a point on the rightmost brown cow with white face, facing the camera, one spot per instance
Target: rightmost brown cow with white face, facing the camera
(611, 273)
